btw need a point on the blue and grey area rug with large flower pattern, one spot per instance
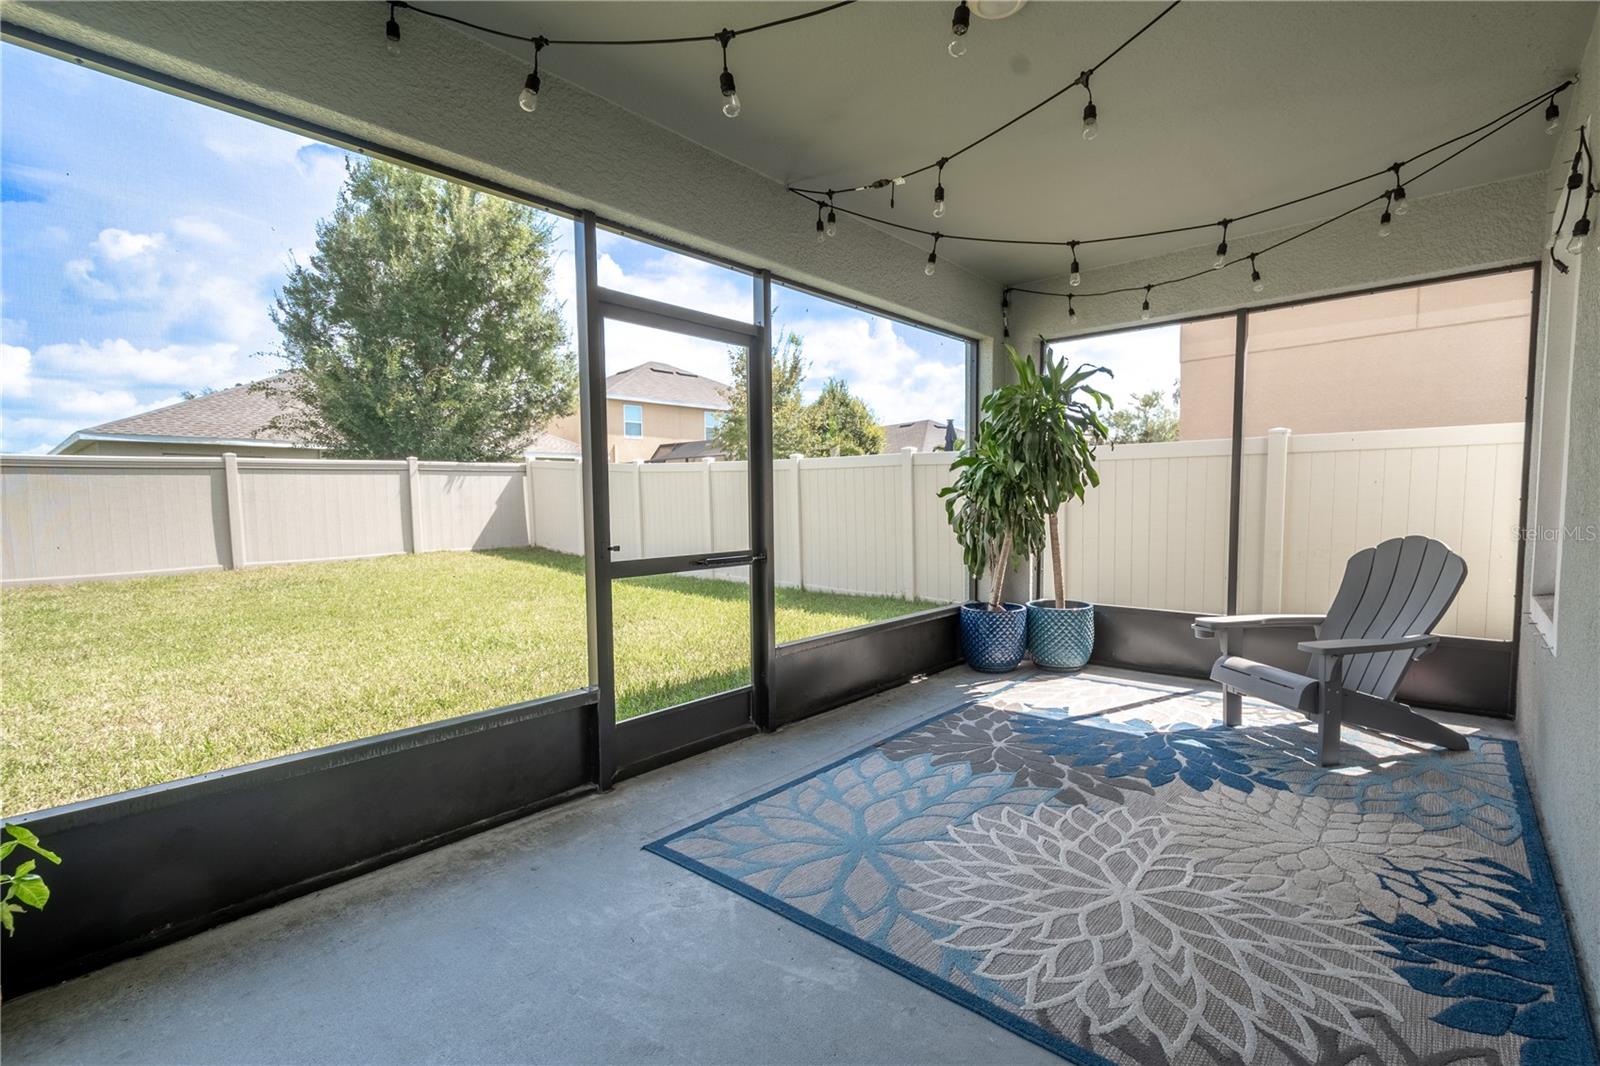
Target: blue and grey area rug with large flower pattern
(1150, 888)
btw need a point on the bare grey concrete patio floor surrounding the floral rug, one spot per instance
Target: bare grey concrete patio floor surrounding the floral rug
(556, 939)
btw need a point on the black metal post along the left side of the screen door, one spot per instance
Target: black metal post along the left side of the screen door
(598, 497)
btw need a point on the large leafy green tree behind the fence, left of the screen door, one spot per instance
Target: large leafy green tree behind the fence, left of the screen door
(423, 324)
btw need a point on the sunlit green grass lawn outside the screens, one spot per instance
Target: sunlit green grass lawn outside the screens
(121, 684)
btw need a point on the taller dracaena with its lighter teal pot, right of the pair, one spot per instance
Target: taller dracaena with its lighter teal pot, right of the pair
(1054, 419)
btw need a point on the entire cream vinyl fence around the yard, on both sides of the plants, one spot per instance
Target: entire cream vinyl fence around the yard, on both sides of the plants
(1153, 535)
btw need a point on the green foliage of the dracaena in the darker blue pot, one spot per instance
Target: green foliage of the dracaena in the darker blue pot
(993, 508)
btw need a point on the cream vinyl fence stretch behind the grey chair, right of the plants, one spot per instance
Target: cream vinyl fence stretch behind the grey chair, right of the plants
(1156, 531)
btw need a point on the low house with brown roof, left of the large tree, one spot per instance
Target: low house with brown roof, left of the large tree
(231, 420)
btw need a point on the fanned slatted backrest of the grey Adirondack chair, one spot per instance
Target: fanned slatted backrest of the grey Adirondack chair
(1401, 588)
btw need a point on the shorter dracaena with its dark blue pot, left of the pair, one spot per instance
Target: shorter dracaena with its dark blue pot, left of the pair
(994, 515)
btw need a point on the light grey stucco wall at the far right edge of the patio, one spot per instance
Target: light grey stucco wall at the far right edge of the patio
(1559, 694)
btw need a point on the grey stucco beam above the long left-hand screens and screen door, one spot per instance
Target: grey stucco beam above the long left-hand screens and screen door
(449, 100)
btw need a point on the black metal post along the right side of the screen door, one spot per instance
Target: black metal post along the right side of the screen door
(764, 596)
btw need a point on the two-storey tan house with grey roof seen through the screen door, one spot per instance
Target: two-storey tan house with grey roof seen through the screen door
(652, 406)
